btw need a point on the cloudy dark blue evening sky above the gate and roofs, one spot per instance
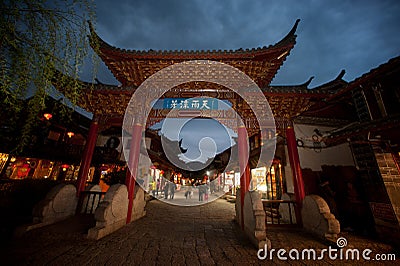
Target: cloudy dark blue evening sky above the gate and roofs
(332, 35)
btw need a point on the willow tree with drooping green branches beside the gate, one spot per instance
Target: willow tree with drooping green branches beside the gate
(38, 39)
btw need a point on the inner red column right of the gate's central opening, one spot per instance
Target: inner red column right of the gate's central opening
(243, 150)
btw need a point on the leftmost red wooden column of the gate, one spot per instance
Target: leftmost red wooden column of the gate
(87, 156)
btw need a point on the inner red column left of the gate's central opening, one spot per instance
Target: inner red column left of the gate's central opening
(133, 162)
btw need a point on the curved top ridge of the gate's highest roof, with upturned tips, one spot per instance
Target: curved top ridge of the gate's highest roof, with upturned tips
(96, 42)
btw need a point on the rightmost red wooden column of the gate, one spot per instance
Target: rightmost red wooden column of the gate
(294, 160)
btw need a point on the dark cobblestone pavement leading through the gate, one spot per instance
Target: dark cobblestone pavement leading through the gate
(168, 235)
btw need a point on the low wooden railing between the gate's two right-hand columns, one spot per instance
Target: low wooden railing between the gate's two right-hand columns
(274, 217)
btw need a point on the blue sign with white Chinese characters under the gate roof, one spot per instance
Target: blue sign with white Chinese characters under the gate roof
(191, 103)
